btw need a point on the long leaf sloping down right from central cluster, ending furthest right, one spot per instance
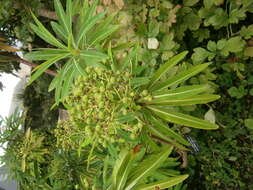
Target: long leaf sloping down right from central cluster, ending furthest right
(182, 119)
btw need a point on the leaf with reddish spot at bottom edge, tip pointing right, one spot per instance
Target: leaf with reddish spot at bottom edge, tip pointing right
(163, 184)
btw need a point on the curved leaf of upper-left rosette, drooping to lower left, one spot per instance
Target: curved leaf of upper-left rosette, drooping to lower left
(44, 66)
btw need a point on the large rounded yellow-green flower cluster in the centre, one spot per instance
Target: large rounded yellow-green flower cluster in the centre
(102, 103)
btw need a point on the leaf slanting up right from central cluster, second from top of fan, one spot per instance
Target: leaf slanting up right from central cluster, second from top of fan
(181, 77)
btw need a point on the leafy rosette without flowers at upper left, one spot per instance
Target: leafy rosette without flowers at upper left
(77, 43)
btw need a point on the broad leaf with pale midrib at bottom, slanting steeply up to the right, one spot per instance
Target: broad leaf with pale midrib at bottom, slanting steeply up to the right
(146, 168)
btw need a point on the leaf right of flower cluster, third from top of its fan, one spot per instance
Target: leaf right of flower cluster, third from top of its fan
(180, 92)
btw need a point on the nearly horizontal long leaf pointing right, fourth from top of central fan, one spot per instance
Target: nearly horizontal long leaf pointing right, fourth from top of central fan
(197, 99)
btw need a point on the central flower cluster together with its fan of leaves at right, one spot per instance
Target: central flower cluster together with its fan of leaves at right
(118, 105)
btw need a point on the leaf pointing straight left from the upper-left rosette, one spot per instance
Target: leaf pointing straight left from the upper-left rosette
(44, 54)
